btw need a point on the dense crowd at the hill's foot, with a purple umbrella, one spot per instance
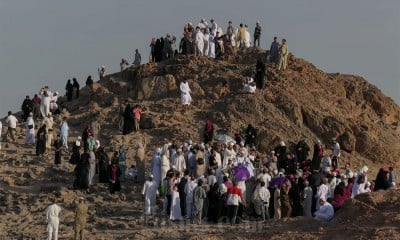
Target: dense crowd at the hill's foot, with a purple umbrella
(237, 182)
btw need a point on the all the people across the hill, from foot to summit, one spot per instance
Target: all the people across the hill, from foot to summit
(216, 180)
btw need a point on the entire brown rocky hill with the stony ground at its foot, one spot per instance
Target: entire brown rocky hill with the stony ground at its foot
(302, 101)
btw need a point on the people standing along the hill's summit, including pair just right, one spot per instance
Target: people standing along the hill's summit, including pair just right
(209, 40)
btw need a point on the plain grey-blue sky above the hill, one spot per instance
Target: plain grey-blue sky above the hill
(46, 42)
